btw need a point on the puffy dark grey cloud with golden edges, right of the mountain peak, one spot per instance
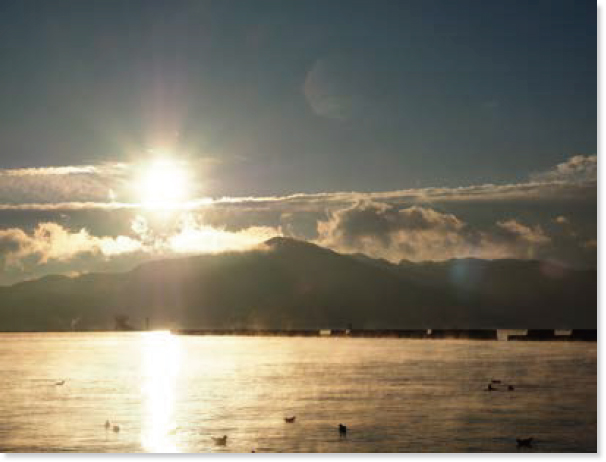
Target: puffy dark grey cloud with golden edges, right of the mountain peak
(420, 233)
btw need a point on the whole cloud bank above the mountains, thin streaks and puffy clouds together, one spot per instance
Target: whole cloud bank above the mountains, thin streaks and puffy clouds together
(404, 224)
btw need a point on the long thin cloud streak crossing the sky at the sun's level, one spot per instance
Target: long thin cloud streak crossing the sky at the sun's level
(571, 180)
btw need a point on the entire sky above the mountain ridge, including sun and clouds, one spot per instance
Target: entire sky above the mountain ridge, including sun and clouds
(417, 130)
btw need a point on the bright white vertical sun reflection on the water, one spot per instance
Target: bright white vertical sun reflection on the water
(161, 356)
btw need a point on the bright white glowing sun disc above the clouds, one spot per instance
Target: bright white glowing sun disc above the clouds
(163, 183)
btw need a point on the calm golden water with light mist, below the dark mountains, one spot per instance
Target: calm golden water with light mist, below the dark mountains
(173, 393)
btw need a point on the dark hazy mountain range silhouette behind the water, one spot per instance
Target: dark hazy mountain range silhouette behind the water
(291, 284)
